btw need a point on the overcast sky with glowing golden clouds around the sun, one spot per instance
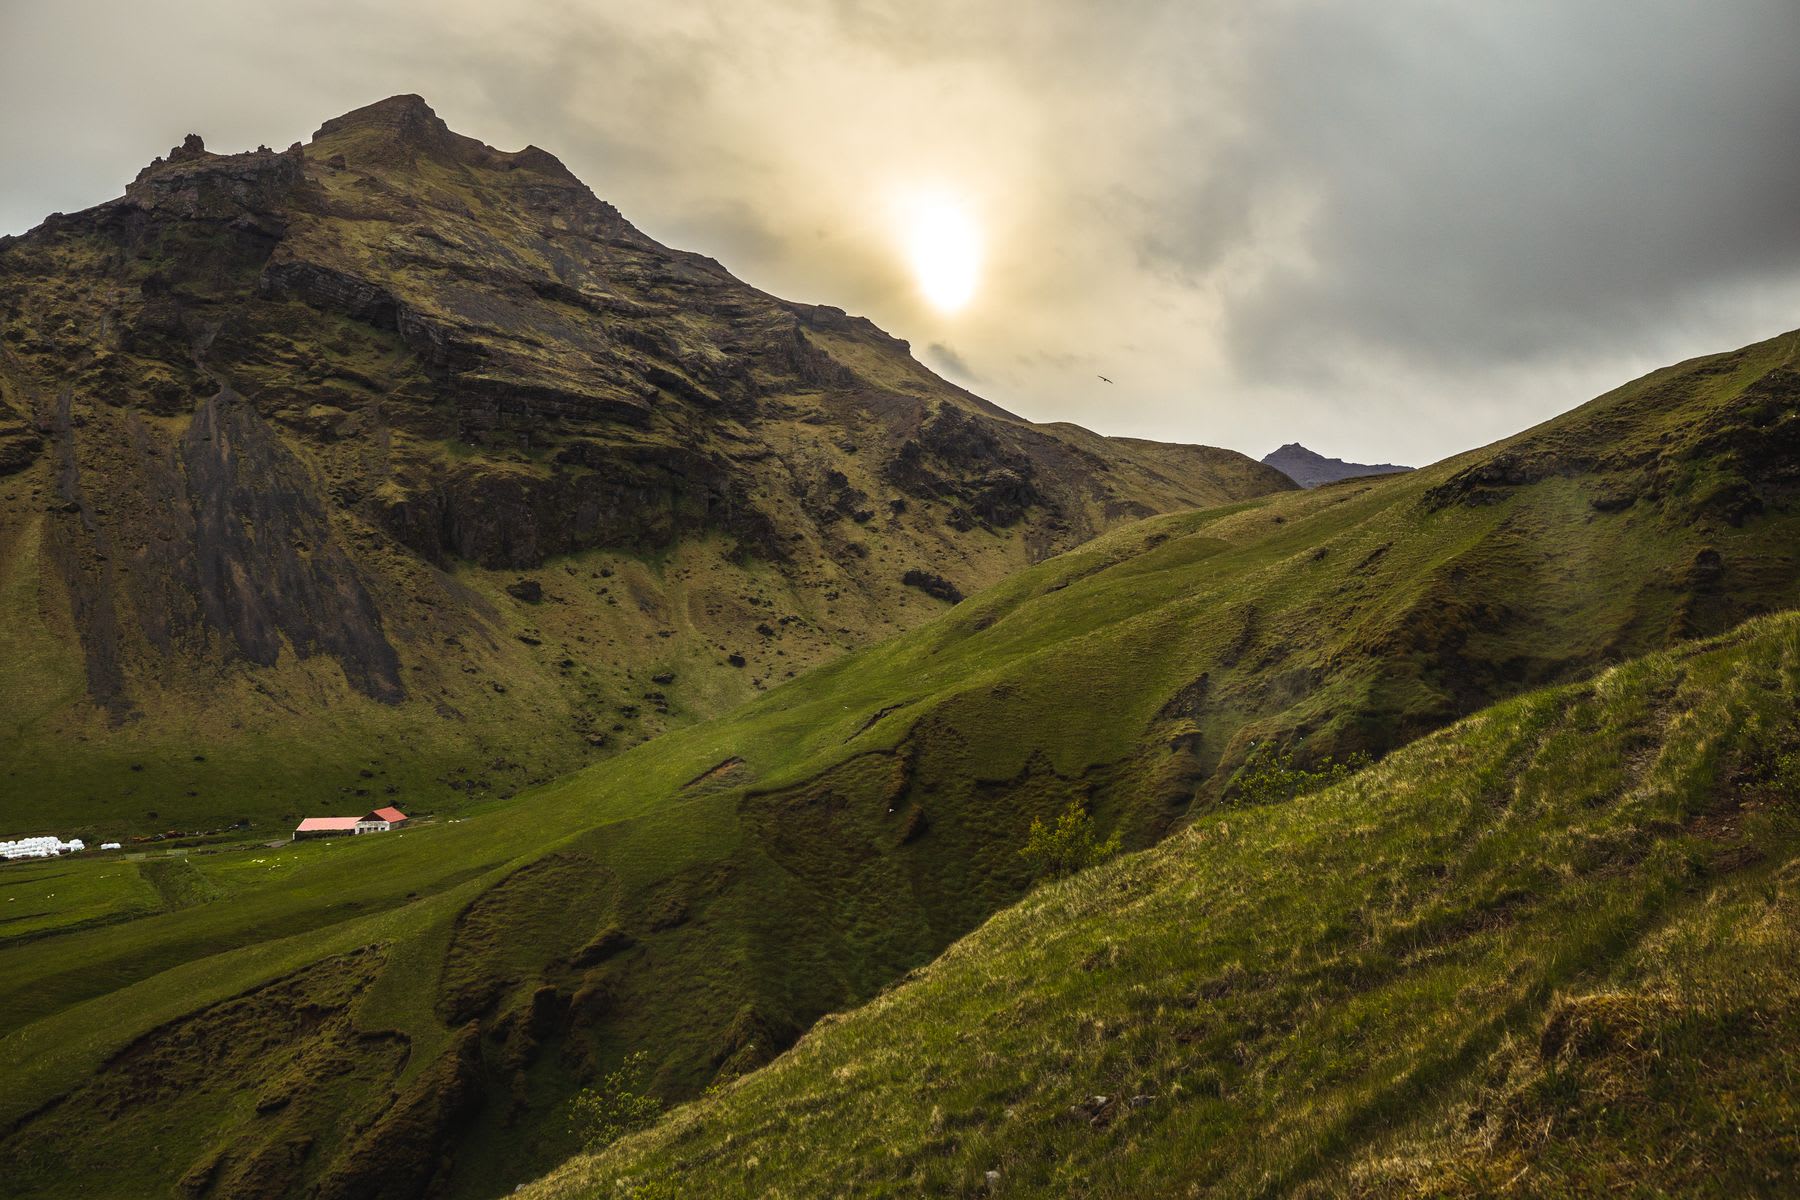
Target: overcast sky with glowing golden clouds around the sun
(1392, 229)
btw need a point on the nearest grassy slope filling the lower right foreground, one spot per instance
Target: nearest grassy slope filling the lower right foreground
(1549, 951)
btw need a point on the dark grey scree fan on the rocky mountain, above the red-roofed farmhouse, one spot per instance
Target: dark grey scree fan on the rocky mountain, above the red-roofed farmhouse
(228, 546)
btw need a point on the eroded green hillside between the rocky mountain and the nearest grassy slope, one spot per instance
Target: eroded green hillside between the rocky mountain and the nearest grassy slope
(710, 895)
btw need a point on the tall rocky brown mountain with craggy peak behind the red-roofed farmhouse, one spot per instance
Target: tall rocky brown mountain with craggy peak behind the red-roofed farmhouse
(415, 465)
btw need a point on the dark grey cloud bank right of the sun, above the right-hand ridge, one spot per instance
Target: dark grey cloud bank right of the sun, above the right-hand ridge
(1498, 184)
